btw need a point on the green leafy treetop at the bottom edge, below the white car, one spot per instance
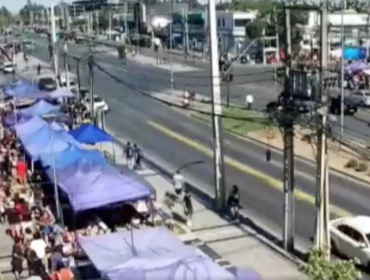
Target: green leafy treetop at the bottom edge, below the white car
(320, 268)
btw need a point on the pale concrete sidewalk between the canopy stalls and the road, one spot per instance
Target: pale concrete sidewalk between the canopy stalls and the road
(231, 244)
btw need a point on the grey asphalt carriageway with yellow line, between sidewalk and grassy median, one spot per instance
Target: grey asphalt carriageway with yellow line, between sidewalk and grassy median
(174, 138)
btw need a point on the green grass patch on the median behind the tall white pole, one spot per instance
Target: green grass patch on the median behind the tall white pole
(240, 120)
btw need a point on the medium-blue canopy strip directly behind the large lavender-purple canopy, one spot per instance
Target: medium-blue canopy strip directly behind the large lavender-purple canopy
(70, 156)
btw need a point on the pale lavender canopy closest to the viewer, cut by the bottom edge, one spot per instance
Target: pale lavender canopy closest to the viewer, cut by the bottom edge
(151, 254)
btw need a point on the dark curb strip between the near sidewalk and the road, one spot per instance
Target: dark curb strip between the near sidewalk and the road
(208, 202)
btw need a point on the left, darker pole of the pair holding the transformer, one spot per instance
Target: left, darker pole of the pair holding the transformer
(288, 232)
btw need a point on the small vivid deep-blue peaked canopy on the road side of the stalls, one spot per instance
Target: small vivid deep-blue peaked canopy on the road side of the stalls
(90, 134)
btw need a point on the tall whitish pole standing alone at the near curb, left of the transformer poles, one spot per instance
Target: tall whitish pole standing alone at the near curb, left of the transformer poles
(220, 191)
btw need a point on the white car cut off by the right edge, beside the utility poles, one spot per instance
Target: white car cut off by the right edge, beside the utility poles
(350, 237)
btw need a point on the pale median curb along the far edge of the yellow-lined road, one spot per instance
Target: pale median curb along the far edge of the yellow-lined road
(307, 161)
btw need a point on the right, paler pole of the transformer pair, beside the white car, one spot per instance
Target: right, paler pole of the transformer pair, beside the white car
(322, 240)
